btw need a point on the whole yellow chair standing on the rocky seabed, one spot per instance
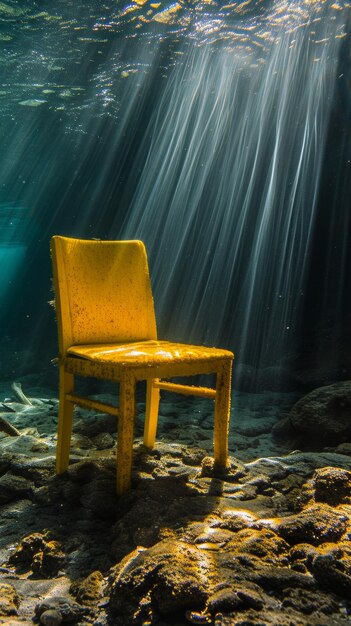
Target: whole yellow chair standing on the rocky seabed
(107, 330)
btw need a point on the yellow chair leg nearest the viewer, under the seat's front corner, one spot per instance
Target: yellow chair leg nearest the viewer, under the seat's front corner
(125, 433)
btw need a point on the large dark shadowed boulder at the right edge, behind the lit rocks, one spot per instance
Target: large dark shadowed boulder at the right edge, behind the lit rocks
(322, 417)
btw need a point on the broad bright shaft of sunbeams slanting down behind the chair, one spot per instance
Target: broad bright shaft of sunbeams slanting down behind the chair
(227, 196)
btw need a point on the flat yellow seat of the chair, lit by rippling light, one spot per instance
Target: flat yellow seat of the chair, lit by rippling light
(147, 353)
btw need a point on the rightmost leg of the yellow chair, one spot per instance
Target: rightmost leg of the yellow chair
(222, 414)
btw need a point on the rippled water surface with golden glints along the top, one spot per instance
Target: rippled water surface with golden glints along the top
(70, 55)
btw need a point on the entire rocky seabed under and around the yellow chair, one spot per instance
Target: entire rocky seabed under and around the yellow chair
(264, 542)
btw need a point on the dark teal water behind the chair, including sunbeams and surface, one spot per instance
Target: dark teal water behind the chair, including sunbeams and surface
(219, 133)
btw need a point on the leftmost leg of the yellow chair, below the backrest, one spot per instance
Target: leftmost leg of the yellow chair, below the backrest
(66, 385)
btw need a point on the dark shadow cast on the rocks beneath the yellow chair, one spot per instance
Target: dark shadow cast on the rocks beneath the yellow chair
(77, 524)
